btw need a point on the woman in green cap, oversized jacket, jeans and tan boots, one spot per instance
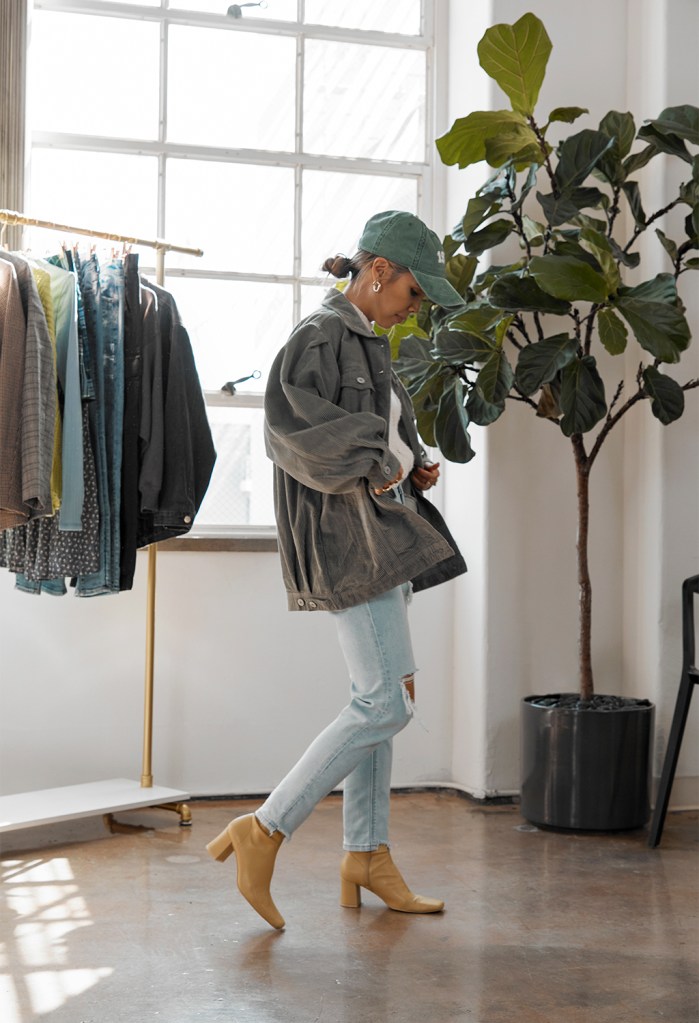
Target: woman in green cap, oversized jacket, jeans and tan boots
(356, 538)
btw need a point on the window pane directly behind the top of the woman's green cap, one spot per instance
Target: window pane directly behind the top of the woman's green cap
(336, 207)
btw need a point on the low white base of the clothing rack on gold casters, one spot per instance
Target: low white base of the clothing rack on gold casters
(27, 810)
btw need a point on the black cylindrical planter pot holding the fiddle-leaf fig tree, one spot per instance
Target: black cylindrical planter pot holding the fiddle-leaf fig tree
(587, 769)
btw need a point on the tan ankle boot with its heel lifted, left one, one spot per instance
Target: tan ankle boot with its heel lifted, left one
(255, 855)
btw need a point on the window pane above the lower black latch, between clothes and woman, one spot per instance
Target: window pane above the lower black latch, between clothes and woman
(236, 328)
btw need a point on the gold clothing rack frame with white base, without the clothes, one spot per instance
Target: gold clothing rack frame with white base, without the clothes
(50, 806)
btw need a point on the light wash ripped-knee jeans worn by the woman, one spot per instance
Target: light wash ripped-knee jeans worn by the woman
(358, 746)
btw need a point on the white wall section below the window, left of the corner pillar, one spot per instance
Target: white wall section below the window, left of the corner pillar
(242, 686)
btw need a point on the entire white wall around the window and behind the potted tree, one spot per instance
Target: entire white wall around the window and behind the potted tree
(242, 685)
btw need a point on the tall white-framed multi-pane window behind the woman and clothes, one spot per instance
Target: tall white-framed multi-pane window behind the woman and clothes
(264, 134)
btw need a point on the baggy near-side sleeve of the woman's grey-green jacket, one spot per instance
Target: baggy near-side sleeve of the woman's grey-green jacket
(309, 434)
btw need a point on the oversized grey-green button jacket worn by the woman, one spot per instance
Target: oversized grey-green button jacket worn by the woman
(327, 415)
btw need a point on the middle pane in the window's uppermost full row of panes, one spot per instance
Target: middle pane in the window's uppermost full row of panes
(220, 96)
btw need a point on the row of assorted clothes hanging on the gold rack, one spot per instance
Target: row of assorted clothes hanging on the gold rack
(127, 415)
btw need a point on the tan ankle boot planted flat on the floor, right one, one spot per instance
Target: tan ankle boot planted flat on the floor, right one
(377, 873)
